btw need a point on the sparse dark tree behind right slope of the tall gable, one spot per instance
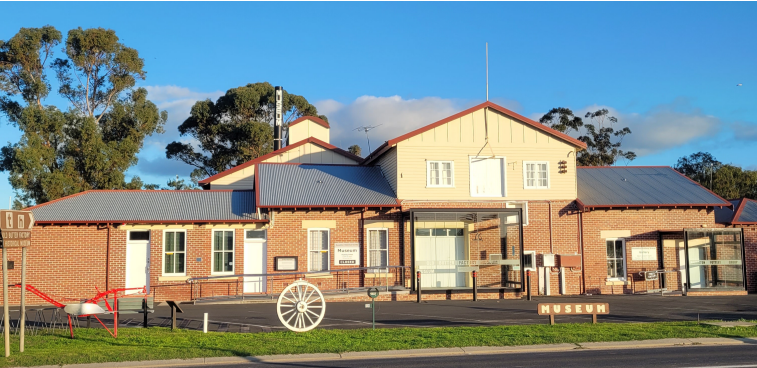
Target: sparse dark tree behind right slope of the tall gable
(603, 142)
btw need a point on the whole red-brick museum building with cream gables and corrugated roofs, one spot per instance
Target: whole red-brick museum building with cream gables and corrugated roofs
(485, 190)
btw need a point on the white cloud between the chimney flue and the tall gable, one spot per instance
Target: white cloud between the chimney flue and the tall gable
(392, 116)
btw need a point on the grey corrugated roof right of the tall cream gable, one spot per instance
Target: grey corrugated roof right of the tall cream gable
(637, 186)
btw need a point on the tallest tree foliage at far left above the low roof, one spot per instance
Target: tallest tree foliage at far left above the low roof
(66, 151)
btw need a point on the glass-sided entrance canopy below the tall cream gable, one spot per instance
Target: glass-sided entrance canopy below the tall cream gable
(448, 245)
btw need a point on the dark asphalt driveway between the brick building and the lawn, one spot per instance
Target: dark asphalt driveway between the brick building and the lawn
(262, 317)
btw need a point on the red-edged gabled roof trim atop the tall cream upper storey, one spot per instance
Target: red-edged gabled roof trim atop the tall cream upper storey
(488, 104)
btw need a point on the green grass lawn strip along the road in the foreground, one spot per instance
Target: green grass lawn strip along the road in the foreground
(96, 345)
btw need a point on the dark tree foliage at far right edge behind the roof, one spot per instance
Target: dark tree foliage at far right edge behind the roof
(726, 180)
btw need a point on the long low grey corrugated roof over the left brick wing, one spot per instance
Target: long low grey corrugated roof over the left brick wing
(149, 206)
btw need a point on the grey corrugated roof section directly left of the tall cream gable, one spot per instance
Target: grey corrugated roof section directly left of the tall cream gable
(323, 185)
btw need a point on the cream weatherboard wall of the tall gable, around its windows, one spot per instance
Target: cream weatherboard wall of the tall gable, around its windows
(458, 140)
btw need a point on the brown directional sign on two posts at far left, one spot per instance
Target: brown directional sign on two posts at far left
(15, 232)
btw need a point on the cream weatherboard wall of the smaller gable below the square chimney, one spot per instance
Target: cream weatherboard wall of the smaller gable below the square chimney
(308, 153)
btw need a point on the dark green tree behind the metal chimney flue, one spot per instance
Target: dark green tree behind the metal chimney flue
(234, 129)
